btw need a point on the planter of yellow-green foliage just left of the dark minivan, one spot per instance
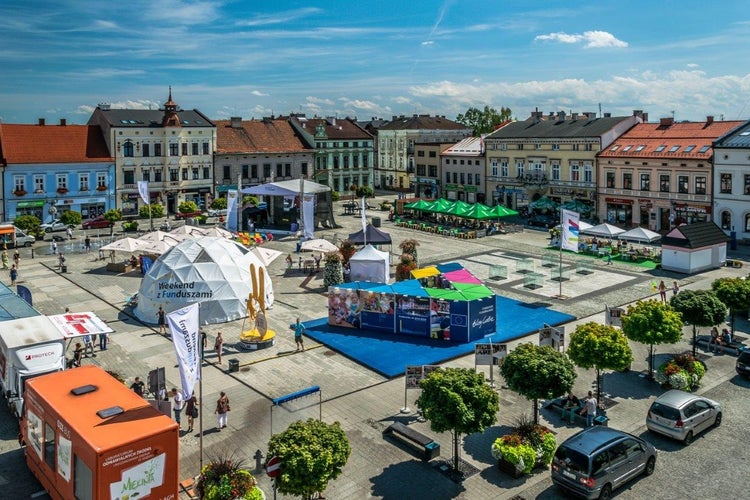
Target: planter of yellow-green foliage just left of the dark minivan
(528, 446)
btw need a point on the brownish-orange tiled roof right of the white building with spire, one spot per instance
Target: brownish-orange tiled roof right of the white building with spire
(261, 136)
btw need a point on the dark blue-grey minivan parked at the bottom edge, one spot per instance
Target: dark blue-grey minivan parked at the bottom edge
(595, 461)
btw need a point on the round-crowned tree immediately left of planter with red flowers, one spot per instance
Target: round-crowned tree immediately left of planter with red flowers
(652, 322)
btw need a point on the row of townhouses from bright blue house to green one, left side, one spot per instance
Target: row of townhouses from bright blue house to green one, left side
(182, 154)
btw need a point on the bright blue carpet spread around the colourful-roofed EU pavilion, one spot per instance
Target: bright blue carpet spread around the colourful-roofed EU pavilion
(389, 354)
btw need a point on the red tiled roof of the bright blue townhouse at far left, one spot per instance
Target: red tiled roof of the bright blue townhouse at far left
(53, 144)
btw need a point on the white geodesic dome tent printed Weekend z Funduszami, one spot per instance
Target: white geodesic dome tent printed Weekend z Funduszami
(212, 271)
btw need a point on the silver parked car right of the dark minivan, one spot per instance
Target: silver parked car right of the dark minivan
(681, 415)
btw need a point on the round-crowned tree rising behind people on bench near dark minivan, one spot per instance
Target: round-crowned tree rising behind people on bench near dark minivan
(601, 347)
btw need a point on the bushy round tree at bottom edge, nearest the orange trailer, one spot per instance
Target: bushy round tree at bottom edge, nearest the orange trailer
(310, 455)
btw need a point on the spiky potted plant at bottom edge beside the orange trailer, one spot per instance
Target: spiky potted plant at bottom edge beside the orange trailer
(224, 478)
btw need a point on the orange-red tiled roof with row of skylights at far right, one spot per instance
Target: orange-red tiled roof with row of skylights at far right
(652, 136)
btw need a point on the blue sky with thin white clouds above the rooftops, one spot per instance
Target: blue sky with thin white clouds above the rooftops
(246, 58)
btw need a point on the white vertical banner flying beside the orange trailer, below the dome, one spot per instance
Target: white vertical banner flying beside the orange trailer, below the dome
(184, 326)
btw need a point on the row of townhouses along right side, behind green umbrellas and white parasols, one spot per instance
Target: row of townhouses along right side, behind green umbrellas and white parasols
(623, 170)
